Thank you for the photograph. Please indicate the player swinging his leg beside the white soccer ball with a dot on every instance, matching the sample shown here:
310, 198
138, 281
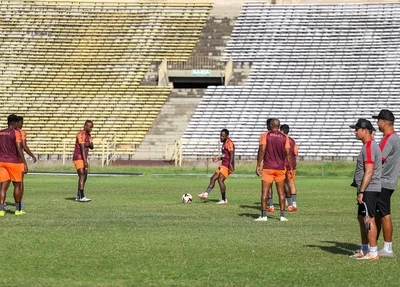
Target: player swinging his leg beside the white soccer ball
225, 169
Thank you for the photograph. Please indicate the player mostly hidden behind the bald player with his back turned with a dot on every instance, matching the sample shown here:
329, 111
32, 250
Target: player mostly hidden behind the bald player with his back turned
290, 187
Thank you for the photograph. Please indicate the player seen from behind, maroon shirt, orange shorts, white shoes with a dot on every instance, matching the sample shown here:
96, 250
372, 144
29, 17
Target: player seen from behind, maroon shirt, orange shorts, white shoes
273, 150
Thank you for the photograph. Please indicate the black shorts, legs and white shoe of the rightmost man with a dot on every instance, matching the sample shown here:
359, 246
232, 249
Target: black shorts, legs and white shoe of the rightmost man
383, 220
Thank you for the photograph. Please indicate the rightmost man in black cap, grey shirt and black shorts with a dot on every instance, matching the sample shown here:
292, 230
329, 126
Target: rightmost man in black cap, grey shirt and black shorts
390, 148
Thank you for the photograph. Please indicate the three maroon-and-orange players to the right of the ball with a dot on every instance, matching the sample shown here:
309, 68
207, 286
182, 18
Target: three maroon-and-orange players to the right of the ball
277, 153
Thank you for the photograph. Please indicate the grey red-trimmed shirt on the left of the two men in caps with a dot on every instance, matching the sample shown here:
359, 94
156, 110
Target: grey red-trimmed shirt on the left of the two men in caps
369, 154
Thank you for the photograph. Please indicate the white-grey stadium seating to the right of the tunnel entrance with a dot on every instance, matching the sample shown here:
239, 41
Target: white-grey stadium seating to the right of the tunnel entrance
315, 67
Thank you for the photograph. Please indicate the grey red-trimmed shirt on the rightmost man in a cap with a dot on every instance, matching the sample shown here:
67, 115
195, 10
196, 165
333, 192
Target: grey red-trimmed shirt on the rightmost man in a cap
390, 148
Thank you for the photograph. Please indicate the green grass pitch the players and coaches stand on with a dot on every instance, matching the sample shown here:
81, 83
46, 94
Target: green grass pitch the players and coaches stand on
136, 232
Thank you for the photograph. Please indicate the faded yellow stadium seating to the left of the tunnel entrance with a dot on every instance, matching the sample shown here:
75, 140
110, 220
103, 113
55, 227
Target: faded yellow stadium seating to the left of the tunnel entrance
64, 62
